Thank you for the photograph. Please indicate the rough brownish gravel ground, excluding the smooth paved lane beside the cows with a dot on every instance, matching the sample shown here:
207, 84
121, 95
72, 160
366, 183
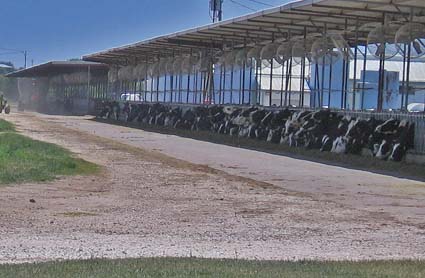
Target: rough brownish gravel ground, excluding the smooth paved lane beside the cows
146, 203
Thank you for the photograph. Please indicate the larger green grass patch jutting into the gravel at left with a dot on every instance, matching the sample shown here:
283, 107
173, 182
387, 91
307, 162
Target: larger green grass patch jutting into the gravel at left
23, 159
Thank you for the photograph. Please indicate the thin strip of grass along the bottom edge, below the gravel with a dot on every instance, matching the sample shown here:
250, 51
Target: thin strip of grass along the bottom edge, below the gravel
191, 267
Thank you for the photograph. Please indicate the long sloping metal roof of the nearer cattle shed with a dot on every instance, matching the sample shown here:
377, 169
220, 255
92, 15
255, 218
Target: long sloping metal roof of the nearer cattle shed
275, 24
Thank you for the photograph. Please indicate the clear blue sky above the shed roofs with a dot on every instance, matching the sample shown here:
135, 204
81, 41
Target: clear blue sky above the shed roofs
60, 29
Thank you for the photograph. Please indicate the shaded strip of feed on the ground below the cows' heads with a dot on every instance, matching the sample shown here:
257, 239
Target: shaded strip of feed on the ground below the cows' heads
408, 170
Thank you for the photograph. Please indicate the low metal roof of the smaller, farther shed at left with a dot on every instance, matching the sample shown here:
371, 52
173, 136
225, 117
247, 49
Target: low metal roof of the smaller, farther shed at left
60, 67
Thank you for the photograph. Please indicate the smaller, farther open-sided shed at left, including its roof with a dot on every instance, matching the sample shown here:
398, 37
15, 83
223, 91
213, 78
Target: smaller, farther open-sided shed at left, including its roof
61, 86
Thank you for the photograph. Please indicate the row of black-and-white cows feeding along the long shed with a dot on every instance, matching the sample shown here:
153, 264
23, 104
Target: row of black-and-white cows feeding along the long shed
324, 130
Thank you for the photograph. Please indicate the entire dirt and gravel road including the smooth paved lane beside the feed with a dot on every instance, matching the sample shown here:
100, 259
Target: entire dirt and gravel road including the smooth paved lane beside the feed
161, 195
